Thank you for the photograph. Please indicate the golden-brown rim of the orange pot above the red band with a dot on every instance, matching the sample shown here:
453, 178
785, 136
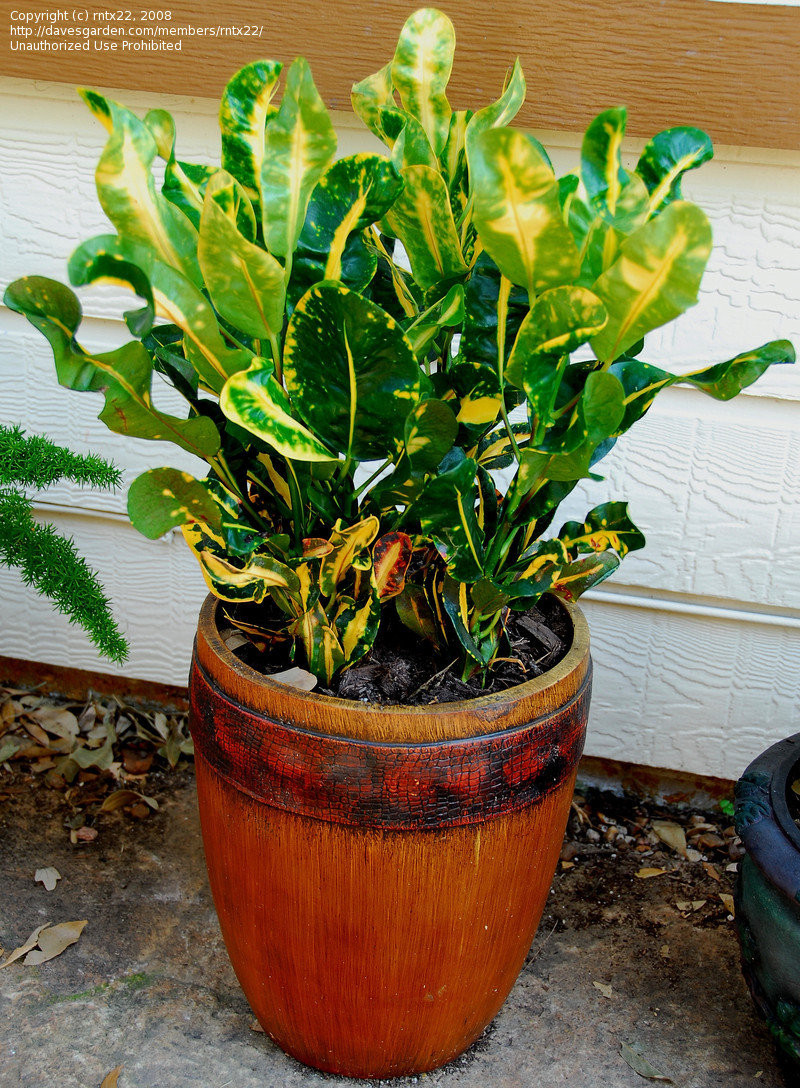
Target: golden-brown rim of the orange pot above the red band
576, 656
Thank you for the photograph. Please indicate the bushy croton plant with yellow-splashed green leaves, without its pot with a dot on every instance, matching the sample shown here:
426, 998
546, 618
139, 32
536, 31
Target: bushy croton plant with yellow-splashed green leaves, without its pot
363, 343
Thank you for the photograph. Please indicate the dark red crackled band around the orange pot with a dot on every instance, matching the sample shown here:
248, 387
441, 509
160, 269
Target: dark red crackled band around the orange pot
386, 785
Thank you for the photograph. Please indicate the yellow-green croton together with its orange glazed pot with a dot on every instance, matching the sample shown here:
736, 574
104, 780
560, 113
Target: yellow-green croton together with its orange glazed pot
380, 360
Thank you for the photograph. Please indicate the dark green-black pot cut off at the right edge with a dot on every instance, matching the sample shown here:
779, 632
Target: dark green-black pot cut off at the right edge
768, 912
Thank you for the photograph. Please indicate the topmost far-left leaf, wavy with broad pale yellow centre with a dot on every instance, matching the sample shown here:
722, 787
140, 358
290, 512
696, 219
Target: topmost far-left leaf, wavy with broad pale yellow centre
128, 192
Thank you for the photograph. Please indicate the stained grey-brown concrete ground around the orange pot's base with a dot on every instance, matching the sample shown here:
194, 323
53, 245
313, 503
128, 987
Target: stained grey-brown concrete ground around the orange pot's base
149, 986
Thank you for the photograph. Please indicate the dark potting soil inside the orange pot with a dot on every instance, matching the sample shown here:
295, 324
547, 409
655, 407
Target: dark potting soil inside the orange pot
403, 669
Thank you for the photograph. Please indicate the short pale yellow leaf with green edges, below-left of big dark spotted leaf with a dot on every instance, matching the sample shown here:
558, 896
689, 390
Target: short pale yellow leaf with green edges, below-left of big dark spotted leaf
255, 401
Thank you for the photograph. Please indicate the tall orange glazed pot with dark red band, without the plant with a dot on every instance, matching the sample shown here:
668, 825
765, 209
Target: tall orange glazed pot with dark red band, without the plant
379, 872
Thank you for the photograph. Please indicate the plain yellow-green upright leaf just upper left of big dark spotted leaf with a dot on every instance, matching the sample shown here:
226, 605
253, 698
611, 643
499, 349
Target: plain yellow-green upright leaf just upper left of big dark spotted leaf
245, 282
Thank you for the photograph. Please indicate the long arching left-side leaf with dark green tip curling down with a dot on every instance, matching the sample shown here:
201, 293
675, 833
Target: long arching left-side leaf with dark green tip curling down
176, 298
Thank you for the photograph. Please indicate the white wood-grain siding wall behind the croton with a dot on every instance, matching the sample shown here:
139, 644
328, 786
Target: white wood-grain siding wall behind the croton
697, 644
